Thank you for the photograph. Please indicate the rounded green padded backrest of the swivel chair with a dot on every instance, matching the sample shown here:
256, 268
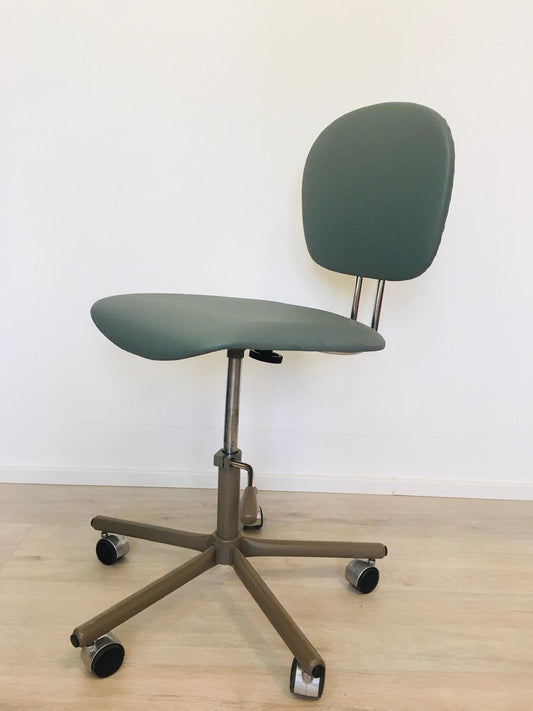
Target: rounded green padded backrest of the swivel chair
376, 189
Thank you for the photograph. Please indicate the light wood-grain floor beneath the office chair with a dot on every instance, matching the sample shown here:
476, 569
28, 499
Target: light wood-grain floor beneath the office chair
450, 626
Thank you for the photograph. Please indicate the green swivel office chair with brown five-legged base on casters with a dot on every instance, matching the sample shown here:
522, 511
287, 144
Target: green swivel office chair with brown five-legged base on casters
376, 189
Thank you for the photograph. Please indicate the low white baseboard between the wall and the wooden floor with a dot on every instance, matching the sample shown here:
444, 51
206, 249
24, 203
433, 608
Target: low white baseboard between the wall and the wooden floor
400, 486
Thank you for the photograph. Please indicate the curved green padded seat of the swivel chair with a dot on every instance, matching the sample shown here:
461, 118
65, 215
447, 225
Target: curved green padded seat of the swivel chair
176, 326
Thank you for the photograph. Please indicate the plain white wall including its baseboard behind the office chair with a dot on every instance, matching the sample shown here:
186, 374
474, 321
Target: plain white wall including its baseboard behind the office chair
158, 146
